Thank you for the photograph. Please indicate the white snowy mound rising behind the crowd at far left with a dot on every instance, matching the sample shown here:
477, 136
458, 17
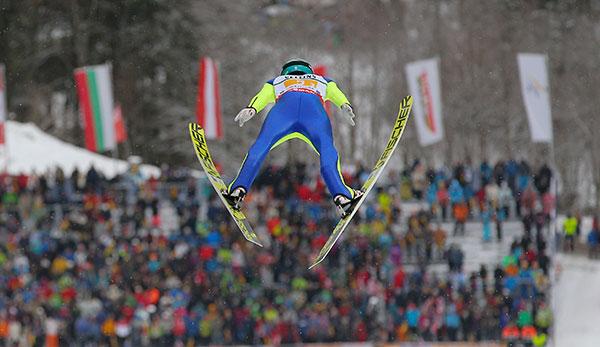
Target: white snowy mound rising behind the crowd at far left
32, 151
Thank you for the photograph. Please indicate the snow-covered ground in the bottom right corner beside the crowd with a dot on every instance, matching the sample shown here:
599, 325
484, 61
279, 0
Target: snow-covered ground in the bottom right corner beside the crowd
576, 301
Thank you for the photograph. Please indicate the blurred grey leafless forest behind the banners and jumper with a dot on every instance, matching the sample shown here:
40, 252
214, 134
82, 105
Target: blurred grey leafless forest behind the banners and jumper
154, 46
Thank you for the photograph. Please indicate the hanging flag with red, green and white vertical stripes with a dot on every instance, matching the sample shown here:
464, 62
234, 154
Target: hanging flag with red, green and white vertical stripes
94, 88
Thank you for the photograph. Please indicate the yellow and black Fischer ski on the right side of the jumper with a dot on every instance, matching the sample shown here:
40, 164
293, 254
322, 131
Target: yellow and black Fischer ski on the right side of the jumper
405, 107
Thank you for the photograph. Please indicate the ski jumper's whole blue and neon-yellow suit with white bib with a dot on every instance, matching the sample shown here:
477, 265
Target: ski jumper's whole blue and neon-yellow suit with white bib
298, 113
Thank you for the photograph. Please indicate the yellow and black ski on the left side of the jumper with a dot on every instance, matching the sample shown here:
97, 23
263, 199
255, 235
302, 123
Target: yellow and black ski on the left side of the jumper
201, 148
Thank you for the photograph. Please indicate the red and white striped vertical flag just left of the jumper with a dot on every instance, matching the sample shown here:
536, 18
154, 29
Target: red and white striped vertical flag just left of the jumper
208, 106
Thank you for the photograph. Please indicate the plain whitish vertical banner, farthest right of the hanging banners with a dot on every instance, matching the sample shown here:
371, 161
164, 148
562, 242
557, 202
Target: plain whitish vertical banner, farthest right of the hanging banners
534, 88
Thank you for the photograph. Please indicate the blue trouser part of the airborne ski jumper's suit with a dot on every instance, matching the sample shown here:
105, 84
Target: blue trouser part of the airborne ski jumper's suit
295, 115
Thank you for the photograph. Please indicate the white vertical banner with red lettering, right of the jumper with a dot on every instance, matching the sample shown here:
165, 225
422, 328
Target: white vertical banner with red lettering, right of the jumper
424, 85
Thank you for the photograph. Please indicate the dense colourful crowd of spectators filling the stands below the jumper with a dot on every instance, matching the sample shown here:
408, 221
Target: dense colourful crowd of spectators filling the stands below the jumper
134, 261
